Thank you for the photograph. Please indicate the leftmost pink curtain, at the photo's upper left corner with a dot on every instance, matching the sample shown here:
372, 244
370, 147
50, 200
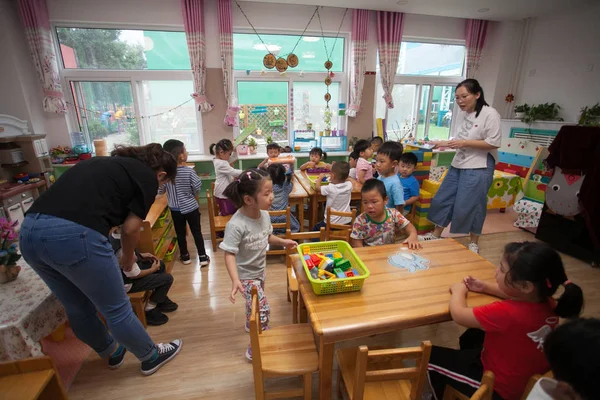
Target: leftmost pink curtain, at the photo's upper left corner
34, 15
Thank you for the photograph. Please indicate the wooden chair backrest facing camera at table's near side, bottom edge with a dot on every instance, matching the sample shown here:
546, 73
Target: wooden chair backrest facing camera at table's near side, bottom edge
417, 374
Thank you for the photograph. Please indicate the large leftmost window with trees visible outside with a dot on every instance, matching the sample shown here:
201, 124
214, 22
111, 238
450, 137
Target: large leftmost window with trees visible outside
130, 86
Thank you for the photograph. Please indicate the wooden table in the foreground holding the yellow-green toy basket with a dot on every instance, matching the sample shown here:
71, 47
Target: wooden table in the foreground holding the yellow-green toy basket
391, 298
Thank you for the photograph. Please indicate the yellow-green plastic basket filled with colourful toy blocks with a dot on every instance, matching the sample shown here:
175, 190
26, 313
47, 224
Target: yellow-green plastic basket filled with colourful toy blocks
332, 267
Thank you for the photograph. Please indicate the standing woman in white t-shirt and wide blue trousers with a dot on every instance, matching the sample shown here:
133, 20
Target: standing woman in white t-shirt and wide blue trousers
462, 197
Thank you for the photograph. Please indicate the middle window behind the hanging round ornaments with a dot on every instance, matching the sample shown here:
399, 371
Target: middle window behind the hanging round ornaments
295, 99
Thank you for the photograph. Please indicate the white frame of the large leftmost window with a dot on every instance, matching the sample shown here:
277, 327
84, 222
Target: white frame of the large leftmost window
134, 77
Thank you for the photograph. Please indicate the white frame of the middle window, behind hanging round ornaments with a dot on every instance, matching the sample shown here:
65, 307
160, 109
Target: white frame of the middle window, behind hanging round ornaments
294, 74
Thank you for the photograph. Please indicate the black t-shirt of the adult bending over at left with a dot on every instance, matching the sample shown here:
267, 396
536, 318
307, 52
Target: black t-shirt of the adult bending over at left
100, 192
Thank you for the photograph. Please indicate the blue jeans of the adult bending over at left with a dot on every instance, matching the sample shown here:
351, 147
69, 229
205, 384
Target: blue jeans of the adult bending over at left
79, 266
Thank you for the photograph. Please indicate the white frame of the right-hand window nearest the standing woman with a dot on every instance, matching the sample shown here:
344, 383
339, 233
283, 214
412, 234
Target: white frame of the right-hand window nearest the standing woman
424, 80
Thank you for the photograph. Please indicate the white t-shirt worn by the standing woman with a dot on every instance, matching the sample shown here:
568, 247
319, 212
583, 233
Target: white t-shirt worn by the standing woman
485, 127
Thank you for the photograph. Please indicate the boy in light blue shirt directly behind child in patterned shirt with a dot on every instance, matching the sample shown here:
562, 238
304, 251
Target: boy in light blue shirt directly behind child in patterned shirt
387, 160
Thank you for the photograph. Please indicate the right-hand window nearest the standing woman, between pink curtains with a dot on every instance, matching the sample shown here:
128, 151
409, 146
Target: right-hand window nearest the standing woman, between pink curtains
423, 90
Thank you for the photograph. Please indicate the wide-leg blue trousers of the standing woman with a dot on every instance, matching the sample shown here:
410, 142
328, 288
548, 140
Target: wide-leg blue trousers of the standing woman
462, 199
